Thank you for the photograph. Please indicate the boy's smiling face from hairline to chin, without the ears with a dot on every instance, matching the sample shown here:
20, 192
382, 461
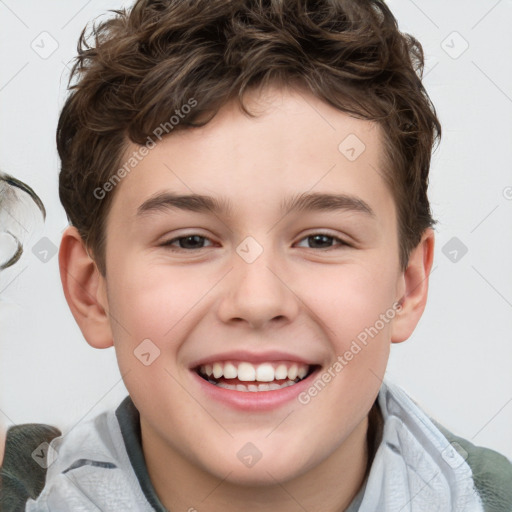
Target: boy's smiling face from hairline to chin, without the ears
252, 325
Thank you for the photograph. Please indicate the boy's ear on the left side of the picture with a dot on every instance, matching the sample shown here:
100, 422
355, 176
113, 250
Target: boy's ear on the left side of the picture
85, 290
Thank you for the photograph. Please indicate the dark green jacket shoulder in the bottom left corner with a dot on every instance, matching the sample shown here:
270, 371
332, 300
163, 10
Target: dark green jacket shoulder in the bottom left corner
23, 473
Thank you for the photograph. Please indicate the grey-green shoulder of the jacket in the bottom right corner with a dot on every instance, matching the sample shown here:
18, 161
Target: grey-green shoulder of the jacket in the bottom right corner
492, 472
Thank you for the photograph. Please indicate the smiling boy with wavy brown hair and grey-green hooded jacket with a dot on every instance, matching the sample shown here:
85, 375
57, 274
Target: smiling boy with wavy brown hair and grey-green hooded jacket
251, 267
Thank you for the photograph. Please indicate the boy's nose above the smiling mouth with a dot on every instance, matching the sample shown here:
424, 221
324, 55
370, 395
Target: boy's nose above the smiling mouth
258, 293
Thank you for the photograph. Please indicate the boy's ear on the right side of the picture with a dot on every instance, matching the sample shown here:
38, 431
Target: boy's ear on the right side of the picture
413, 288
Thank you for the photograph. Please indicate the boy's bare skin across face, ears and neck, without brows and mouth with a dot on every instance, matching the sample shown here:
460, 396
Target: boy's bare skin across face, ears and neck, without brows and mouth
298, 298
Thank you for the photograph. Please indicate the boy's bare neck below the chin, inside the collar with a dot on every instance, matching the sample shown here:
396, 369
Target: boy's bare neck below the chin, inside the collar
182, 485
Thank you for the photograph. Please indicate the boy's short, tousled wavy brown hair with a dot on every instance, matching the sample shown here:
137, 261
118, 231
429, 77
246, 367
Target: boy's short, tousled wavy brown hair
135, 69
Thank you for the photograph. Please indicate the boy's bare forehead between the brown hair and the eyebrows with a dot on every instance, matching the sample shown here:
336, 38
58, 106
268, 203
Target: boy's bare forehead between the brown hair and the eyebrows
295, 144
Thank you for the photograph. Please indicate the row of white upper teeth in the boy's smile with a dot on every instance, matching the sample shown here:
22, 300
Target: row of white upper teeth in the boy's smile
247, 372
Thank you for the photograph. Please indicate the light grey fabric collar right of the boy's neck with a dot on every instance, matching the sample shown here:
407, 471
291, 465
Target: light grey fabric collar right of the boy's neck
415, 467
